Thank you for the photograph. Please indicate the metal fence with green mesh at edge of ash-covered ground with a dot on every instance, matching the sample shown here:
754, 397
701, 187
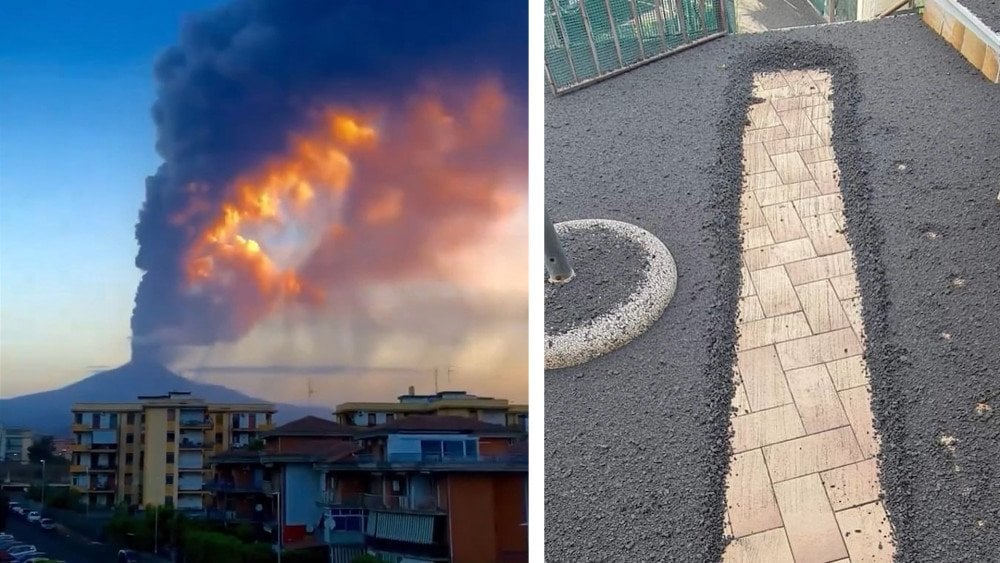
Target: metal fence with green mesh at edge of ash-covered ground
589, 40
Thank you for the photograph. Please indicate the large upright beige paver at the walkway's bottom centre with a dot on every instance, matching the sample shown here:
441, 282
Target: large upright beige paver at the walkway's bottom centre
810, 525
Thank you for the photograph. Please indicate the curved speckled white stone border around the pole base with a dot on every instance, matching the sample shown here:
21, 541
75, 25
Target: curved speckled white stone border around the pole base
634, 316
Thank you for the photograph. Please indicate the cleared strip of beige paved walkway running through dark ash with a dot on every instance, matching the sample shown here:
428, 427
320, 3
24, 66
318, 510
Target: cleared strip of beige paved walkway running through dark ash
803, 483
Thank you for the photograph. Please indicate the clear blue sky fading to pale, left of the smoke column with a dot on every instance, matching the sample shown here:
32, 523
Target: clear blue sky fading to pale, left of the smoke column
76, 143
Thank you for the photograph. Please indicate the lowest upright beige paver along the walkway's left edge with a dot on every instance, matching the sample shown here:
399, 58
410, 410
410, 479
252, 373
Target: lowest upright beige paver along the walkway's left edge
749, 498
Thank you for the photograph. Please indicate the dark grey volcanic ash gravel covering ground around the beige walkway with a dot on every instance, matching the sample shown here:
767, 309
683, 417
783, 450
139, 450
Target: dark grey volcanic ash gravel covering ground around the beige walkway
636, 441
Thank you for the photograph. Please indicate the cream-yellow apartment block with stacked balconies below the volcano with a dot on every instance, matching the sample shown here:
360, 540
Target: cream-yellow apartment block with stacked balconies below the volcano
155, 450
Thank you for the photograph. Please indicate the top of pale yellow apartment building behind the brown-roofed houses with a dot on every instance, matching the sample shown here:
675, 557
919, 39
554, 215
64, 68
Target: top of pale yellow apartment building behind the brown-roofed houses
444, 403
